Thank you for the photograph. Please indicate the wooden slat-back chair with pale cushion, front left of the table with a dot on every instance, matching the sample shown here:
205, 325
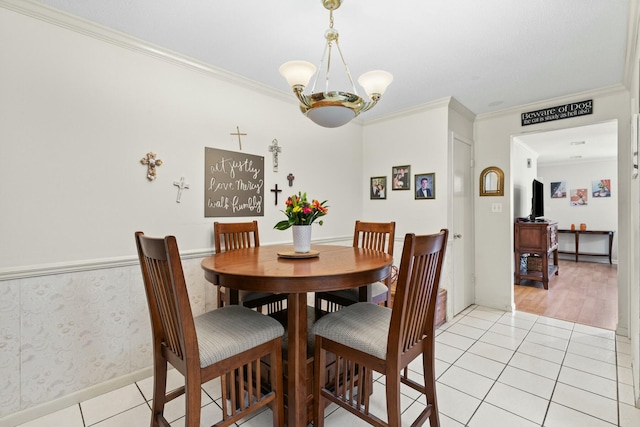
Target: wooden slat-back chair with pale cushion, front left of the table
227, 342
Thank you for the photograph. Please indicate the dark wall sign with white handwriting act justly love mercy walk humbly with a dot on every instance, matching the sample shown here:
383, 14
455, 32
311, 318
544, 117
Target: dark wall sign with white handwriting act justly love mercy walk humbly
233, 183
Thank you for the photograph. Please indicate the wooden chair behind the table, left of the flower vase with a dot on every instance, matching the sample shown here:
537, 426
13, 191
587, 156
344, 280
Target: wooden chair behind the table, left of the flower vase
239, 235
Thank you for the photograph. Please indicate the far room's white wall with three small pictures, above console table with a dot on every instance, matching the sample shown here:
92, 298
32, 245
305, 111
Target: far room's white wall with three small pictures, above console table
598, 214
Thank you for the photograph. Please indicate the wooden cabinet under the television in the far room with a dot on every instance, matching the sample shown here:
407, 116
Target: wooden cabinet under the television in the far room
536, 238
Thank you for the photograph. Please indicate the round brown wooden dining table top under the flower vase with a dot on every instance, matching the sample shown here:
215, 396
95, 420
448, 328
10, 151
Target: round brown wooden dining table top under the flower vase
262, 269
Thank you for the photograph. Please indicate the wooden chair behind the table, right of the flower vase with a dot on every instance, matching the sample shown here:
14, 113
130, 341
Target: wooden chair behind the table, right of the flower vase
378, 236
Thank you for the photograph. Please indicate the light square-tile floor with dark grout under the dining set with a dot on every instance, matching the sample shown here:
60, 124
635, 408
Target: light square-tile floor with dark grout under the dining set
494, 369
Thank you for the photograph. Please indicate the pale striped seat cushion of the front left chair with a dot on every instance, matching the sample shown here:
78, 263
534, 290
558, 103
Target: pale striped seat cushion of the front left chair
230, 330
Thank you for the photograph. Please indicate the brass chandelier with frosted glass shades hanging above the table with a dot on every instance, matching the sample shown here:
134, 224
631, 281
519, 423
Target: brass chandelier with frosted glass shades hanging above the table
333, 108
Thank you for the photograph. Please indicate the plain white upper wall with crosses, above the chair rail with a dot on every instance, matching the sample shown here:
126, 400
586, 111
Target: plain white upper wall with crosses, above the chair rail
78, 114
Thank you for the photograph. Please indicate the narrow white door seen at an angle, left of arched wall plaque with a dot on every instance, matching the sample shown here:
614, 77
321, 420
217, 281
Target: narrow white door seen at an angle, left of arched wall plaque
462, 263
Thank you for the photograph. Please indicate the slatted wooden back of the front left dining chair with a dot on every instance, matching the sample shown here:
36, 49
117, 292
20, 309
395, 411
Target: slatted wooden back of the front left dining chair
166, 290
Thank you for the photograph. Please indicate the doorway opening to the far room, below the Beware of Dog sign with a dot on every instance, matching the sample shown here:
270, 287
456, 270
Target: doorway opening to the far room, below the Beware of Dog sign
576, 160
